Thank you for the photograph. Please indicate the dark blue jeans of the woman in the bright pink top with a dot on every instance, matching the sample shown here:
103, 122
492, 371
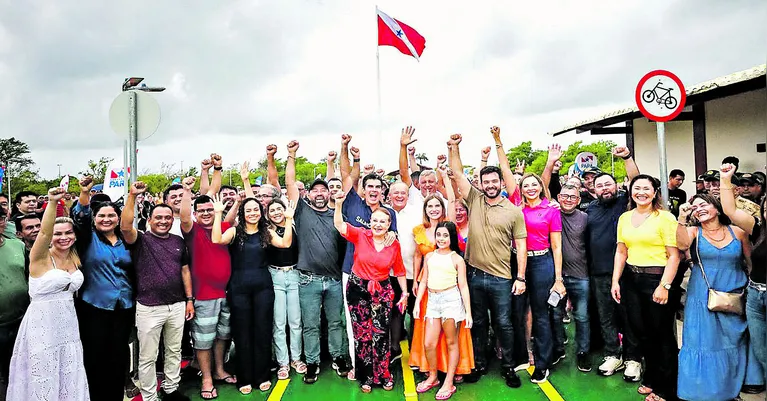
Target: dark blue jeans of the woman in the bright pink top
540, 279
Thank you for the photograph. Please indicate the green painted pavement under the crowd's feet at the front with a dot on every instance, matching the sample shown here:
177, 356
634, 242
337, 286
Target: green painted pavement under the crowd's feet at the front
568, 382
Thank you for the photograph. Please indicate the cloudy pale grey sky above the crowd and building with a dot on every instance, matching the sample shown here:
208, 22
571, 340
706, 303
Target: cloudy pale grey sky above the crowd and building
244, 74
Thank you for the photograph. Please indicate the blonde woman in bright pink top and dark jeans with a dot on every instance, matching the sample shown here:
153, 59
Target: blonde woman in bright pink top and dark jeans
544, 270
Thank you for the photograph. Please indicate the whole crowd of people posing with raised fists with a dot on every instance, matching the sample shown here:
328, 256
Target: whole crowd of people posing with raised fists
259, 266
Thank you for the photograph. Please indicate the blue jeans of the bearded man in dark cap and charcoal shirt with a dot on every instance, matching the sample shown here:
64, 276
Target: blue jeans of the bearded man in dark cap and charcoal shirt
318, 292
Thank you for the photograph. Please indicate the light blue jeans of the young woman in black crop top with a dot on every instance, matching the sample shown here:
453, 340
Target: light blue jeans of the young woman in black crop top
287, 311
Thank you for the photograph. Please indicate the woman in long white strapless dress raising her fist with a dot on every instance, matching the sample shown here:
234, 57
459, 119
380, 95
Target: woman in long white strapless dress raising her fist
47, 362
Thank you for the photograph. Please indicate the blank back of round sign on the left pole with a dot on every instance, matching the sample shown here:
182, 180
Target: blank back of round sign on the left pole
147, 110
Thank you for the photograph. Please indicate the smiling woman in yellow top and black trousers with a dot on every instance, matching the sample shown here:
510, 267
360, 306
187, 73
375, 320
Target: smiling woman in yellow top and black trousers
646, 261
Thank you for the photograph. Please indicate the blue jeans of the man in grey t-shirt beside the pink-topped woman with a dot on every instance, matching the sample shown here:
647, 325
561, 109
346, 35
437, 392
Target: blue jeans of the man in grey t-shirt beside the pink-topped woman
578, 293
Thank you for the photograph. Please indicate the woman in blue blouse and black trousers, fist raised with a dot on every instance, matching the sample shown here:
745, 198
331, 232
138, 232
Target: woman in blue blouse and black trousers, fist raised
106, 307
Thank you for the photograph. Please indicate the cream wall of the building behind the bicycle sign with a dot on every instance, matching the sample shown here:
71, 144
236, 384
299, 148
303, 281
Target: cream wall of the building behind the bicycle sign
734, 125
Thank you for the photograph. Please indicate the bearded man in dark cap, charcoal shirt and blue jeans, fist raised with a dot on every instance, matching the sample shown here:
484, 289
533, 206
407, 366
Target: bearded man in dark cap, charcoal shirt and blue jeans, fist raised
319, 268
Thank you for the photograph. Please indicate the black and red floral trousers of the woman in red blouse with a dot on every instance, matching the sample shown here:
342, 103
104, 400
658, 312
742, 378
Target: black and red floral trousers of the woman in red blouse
370, 313
